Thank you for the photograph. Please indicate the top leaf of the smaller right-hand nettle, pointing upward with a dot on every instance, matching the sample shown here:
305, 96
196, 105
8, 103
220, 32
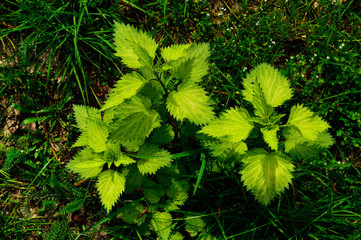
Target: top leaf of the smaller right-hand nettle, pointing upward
275, 87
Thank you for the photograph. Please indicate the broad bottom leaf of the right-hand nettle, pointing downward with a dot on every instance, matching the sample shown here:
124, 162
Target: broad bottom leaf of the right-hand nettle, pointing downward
266, 174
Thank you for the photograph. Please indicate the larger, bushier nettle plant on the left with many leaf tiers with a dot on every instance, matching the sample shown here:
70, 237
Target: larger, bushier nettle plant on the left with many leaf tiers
126, 144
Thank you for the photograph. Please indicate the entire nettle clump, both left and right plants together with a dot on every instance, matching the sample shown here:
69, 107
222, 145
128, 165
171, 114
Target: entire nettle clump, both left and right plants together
155, 109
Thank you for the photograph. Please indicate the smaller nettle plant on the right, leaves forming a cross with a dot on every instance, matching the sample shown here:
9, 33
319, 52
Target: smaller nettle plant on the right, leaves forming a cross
267, 171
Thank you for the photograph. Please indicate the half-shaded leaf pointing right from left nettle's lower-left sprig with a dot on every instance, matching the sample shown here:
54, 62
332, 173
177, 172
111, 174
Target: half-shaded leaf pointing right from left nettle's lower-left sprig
152, 159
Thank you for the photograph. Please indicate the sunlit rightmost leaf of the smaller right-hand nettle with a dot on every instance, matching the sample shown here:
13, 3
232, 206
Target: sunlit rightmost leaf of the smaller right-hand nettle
309, 124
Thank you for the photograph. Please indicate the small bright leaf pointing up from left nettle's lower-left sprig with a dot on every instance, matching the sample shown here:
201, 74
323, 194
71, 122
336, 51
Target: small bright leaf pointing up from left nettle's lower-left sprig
97, 133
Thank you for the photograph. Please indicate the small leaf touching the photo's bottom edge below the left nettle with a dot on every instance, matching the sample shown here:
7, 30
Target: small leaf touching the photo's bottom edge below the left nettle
162, 224
